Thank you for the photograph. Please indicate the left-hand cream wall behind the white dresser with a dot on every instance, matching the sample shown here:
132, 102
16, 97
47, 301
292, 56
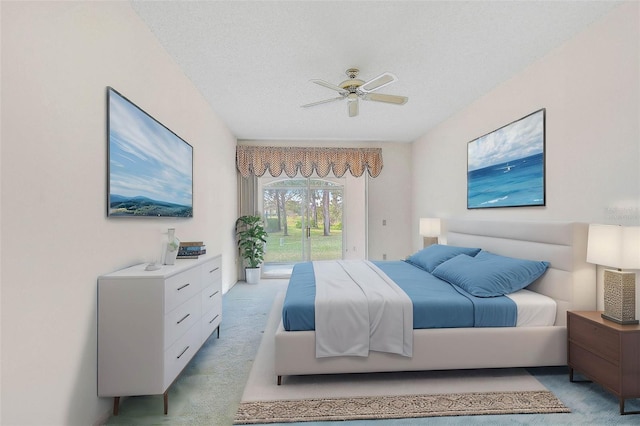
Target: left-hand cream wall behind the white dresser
57, 59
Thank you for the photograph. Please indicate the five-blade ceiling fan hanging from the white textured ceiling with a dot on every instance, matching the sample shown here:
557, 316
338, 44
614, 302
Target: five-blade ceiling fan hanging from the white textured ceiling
354, 89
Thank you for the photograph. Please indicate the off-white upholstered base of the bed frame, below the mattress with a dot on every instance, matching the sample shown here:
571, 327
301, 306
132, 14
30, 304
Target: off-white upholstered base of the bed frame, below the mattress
433, 349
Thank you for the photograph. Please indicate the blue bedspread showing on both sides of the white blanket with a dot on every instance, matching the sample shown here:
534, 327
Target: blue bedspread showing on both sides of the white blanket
436, 303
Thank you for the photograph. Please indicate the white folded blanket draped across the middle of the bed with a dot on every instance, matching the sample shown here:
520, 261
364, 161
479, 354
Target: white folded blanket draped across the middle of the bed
358, 308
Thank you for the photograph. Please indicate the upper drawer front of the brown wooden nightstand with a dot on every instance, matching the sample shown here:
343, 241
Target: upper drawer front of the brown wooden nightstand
597, 338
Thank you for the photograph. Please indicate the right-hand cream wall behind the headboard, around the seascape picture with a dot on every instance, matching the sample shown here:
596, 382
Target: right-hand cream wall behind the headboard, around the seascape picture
590, 87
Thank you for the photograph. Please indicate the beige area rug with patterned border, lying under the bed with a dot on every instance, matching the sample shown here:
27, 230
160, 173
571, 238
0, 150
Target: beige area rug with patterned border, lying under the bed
385, 395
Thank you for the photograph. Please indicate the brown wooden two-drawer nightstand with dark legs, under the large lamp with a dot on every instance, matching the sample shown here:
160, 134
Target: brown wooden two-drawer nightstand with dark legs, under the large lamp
606, 353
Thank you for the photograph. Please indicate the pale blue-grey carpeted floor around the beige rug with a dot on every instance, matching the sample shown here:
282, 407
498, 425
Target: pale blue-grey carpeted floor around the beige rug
209, 390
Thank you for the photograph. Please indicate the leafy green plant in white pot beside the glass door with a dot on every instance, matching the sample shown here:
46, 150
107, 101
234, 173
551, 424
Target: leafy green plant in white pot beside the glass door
251, 241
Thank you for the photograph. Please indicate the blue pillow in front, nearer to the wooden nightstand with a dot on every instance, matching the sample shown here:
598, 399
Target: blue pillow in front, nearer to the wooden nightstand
490, 275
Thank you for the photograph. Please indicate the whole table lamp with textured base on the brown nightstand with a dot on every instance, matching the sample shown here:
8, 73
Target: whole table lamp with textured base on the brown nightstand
618, 247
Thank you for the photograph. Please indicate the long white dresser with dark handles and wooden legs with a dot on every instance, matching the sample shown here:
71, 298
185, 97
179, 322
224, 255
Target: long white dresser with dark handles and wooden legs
151, 323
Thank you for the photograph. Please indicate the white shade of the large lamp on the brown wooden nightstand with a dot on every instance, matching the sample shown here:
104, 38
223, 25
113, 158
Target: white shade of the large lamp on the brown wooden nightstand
614, 246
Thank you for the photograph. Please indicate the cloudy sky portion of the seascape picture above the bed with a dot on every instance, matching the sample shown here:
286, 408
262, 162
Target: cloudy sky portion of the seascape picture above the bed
520, 139
